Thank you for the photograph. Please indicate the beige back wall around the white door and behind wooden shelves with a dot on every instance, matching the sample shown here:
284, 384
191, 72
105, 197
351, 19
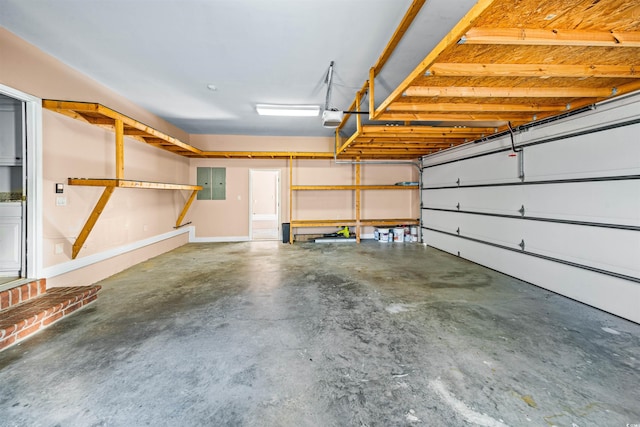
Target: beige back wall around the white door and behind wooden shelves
230, 218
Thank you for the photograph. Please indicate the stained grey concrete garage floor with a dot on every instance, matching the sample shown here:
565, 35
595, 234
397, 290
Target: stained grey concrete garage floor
266, 334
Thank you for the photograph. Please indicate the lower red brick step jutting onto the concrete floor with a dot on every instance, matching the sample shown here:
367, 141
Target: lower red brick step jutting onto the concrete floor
19, 321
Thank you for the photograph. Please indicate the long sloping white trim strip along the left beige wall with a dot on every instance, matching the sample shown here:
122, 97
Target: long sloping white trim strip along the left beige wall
76, 264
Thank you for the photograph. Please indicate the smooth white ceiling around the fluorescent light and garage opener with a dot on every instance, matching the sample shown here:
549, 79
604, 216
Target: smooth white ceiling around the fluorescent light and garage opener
162, 54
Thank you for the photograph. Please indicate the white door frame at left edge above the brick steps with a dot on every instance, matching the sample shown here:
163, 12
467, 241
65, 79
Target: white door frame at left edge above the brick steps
32, 164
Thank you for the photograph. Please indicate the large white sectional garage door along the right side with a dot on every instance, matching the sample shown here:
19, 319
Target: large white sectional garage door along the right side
562, 211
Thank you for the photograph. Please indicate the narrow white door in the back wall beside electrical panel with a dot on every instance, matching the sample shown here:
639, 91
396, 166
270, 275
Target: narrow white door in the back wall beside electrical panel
265, 204
